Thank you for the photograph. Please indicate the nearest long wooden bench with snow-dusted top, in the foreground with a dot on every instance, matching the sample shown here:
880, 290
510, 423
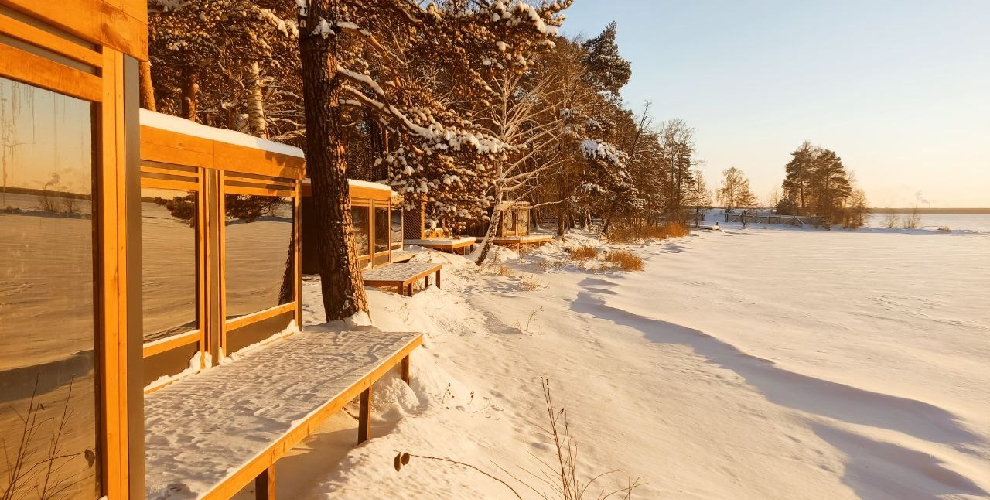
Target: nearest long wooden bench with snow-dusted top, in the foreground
209, 435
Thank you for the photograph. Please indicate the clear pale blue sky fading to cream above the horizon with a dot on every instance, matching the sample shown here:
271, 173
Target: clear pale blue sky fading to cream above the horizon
900, 89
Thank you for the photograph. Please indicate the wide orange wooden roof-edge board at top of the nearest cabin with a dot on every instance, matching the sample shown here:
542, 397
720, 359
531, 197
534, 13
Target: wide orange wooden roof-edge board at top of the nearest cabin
118, 24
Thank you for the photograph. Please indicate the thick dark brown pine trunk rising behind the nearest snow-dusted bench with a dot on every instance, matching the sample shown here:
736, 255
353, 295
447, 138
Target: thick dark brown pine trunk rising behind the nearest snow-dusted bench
343, 290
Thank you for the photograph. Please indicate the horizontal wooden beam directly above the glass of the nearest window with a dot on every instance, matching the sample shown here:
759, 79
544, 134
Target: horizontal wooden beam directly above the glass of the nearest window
39, 71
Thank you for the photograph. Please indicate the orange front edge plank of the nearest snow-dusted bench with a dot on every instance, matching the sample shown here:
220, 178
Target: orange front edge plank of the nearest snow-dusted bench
307, 427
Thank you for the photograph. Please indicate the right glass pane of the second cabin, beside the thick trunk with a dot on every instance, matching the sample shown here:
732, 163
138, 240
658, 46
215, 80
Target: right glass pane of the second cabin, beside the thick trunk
258, 265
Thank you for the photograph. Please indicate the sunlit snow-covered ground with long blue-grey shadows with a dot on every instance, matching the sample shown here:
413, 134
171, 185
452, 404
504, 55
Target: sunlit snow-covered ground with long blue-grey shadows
750, 364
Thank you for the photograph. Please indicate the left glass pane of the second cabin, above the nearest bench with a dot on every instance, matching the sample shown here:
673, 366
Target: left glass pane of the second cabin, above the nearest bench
169, 286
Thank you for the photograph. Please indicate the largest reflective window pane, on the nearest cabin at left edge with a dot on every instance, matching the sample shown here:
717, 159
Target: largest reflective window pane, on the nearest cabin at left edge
48, 417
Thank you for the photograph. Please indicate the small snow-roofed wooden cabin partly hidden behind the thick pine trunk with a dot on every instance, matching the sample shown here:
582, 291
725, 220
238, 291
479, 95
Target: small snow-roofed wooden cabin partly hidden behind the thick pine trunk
376, 213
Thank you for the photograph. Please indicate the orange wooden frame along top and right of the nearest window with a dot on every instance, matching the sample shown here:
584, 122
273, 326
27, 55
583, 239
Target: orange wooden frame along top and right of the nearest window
36, 57
